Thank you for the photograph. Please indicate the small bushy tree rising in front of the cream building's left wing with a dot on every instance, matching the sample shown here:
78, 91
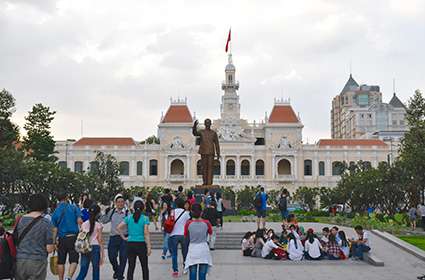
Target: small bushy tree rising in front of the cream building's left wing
106, 175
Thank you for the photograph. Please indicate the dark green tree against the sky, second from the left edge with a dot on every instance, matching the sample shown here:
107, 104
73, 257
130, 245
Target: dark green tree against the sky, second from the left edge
38, 142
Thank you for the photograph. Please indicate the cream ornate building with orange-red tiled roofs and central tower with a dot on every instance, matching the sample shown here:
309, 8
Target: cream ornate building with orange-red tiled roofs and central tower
269, 153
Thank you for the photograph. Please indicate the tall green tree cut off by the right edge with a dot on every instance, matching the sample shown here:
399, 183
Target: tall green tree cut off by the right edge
412, 150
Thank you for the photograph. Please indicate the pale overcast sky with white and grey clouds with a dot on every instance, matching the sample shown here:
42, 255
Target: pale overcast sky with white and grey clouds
115, 64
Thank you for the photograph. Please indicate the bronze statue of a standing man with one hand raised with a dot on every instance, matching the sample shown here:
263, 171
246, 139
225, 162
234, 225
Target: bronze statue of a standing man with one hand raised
208, 148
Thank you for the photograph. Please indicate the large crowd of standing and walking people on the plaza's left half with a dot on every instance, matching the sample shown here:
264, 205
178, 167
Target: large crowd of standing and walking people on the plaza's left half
74, 231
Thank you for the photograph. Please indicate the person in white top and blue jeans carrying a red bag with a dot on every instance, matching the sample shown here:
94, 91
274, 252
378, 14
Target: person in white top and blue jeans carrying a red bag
181, 216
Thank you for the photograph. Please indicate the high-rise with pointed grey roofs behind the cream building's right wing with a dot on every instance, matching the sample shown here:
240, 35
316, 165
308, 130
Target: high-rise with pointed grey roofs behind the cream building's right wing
358, 112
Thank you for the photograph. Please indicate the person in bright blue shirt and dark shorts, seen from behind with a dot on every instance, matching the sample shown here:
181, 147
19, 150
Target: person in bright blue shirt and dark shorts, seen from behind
66, 221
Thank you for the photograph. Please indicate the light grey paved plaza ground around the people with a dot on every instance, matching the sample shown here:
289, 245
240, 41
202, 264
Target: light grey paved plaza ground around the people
230, 265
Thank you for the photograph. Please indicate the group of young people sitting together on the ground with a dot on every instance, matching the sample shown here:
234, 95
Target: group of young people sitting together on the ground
295, 244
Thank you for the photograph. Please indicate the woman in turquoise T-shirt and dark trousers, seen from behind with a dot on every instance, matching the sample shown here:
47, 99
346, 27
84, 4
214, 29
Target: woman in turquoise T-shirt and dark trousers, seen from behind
139, 245
